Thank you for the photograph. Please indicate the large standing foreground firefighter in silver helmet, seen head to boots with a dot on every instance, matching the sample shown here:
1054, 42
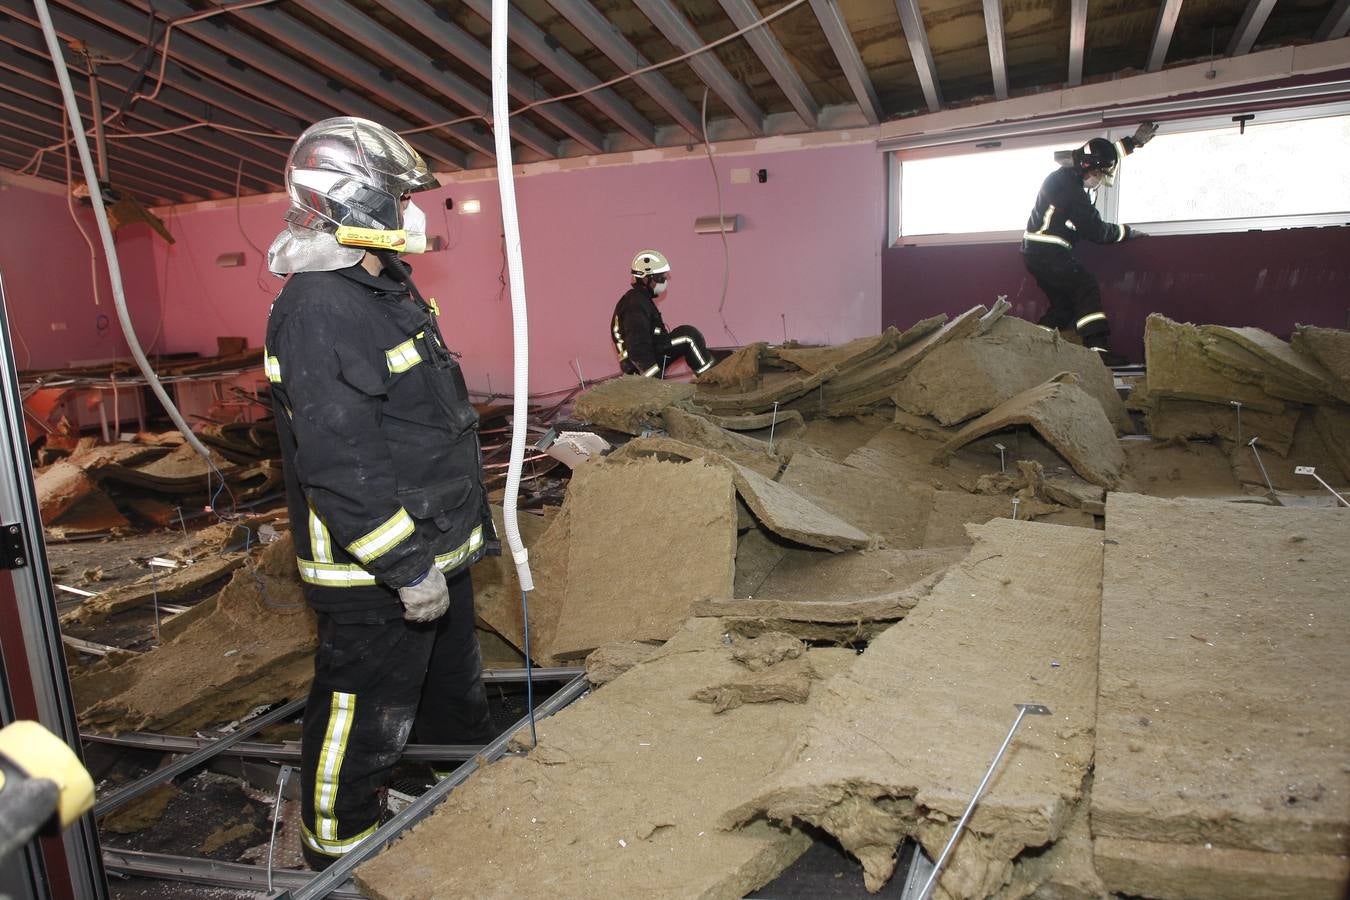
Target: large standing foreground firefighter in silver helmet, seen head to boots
384, 478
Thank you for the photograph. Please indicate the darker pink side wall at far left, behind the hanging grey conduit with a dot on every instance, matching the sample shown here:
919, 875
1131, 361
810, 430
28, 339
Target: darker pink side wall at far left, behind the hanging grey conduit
45, 266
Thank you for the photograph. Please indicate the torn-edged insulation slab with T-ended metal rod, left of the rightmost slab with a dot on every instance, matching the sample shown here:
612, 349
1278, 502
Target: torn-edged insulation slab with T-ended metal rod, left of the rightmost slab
908, 733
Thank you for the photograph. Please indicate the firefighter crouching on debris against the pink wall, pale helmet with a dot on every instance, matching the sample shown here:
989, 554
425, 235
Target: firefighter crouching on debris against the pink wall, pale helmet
642, 341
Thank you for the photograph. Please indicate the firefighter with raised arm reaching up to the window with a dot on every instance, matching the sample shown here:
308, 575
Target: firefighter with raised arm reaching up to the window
1063, 215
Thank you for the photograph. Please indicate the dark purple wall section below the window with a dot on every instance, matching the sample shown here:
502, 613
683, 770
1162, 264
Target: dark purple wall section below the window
1272, 280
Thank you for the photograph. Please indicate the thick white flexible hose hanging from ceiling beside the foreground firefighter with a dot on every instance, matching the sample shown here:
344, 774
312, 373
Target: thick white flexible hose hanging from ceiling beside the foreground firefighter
520, 320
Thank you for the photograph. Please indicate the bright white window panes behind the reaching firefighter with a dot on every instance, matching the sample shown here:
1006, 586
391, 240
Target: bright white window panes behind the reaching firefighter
1213, 177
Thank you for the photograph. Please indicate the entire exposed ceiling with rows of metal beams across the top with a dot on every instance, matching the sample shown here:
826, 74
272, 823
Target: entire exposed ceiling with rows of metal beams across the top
416, 65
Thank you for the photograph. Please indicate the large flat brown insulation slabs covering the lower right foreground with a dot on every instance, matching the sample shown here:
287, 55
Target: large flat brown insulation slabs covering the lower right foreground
1210, 760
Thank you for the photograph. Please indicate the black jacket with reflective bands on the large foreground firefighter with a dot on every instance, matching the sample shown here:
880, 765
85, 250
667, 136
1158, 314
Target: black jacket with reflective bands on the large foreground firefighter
380, 443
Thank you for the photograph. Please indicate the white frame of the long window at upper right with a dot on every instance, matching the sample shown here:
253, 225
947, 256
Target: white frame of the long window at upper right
1108, 199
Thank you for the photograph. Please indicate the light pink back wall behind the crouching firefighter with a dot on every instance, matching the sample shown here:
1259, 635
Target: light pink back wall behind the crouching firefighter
809, 250
